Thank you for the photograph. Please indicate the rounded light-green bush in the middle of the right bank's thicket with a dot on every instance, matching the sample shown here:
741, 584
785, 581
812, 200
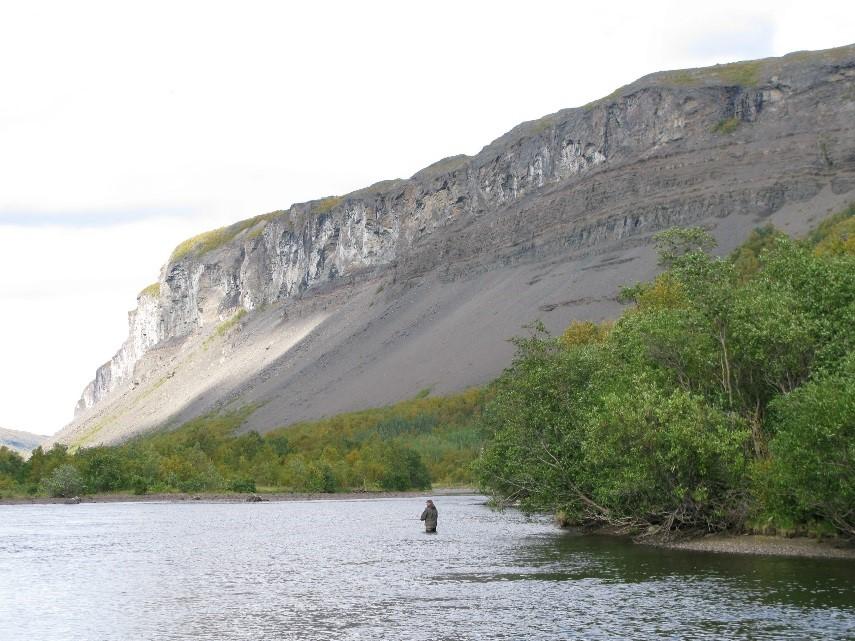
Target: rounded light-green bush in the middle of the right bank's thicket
665, 457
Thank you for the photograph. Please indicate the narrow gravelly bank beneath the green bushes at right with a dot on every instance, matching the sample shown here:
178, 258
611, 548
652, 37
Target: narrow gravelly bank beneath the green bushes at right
764, 545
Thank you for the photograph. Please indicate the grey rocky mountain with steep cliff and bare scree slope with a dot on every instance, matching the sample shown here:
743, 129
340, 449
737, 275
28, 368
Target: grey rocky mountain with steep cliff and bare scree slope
365, 299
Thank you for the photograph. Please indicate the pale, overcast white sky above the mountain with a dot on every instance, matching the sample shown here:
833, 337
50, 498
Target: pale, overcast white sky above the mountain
126, 127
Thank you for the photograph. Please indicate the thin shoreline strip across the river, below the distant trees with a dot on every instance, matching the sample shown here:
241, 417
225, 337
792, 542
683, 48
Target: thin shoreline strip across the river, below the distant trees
178, 497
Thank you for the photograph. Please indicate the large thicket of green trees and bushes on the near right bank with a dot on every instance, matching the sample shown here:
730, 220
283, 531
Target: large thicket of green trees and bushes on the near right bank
722, 398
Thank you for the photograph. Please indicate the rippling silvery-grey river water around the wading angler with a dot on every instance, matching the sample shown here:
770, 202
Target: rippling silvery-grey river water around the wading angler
364, 569
